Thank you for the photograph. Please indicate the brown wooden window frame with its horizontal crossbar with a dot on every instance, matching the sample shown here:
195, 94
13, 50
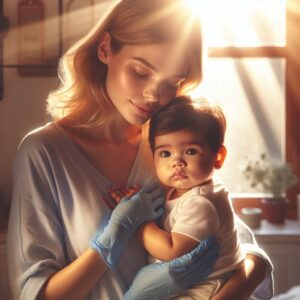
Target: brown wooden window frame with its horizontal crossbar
292, 96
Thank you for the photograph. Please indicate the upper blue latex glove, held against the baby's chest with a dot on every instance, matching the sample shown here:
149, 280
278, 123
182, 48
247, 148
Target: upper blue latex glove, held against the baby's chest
129, 214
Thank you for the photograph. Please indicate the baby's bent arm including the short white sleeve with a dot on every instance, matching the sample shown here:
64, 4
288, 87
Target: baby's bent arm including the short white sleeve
195, 219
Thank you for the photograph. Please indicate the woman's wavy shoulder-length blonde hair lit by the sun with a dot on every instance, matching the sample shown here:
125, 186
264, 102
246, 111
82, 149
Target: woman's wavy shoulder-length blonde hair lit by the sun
82, 94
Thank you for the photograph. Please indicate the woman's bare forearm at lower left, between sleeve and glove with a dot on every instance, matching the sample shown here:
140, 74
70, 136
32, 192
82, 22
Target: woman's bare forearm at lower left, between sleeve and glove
76, 280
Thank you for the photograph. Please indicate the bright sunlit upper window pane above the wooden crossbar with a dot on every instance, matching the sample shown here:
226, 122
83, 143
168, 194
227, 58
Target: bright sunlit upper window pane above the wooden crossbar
241, 22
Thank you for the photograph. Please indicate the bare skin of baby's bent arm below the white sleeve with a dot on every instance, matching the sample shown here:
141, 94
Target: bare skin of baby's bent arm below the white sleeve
164, 245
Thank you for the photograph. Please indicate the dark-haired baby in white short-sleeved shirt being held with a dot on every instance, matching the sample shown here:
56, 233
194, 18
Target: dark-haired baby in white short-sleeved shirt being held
186, 139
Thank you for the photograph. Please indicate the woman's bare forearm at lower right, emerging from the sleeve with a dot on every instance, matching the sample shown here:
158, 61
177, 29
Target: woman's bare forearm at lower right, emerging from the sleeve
244, 281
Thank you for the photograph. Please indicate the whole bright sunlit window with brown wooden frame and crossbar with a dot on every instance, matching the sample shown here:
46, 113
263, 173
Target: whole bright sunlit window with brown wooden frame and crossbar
252, 70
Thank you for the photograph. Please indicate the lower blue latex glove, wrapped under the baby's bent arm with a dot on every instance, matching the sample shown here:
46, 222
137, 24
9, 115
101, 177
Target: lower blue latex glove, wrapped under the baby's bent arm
166, 279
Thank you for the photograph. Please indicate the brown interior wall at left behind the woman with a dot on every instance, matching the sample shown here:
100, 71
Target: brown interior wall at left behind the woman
23, 107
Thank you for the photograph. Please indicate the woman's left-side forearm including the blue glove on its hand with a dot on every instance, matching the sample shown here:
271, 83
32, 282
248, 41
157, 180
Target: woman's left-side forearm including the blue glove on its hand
77, 279
